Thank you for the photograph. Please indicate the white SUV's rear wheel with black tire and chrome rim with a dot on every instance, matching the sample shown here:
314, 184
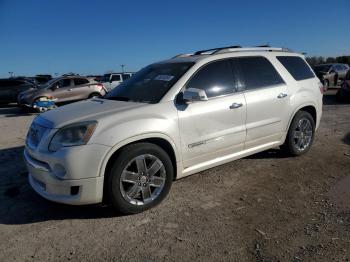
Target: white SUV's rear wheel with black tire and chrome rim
299, 141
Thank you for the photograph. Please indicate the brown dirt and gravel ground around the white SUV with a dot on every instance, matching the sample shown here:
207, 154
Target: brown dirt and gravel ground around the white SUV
267, 207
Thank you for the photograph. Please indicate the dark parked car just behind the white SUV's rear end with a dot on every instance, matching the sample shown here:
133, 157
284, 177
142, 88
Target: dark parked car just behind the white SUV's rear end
330, 74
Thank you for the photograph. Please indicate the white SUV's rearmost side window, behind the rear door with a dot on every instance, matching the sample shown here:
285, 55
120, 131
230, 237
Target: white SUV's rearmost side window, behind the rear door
296, 66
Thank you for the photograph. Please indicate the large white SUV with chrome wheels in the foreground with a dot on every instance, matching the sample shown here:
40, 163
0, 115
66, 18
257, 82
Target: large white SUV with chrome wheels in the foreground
170, 120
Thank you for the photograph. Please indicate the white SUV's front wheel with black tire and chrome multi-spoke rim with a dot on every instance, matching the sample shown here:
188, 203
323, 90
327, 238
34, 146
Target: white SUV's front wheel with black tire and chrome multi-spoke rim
130, 189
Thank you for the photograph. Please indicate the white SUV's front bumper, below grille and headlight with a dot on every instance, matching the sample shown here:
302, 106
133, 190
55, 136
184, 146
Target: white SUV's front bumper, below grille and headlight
44, 180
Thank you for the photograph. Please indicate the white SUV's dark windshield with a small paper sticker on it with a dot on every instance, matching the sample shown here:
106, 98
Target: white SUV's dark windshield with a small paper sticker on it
150, 84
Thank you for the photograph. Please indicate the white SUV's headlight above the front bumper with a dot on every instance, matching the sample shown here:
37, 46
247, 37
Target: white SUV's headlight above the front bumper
72, 135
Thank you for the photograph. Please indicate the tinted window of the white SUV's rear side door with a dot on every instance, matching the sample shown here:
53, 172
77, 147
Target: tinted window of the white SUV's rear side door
258, 72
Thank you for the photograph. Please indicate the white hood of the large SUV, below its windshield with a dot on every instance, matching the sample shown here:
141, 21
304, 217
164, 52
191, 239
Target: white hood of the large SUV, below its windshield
92, 109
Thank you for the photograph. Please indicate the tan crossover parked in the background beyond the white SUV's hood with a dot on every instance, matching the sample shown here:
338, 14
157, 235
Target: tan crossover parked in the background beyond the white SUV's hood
64, 90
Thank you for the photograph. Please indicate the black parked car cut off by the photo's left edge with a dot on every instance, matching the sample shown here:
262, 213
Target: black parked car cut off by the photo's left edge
10, 88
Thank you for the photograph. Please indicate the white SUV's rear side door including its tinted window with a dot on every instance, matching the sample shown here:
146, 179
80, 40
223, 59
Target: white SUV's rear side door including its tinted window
267, 99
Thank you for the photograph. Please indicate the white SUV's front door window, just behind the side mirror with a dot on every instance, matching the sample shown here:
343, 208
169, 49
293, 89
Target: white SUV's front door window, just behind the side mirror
216, 79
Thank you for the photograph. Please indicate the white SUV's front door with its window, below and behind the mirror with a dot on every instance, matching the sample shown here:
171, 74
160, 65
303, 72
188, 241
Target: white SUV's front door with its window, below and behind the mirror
213, 129
